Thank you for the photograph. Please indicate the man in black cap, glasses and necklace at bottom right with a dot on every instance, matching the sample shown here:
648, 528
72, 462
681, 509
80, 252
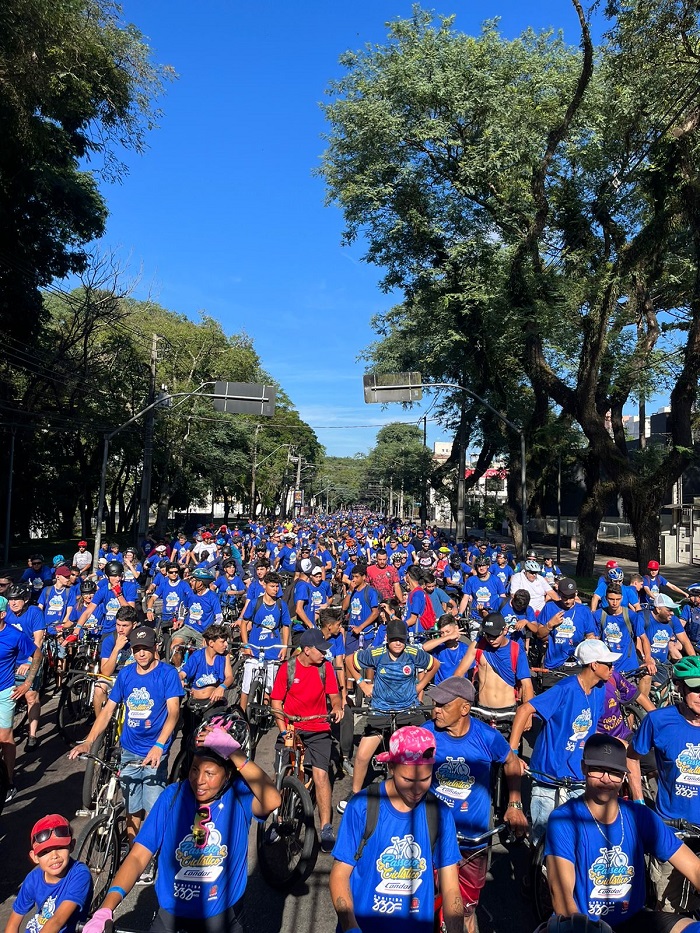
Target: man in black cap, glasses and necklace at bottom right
596, 845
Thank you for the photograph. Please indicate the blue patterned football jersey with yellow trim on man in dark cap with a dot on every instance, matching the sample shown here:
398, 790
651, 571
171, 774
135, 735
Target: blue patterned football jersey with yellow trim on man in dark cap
394, 678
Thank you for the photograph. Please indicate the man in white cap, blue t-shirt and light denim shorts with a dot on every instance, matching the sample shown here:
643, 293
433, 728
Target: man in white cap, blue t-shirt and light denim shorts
570, 710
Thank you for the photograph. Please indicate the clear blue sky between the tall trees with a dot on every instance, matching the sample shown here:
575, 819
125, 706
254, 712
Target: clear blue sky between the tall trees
222, 212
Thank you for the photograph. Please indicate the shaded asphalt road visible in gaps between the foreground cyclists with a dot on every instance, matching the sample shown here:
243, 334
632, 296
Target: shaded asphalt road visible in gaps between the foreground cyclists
48, 782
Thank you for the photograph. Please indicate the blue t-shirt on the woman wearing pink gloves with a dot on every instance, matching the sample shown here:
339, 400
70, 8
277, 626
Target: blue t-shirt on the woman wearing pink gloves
199, 881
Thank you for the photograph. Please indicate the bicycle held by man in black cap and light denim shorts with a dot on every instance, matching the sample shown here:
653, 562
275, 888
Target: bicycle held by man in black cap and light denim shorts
103, 842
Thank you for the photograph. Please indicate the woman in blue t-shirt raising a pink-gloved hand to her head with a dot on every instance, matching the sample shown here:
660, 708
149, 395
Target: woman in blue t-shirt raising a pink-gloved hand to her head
199, 831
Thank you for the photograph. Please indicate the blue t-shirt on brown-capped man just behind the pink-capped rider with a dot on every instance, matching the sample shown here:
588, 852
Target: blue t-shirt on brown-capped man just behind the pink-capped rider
462, 773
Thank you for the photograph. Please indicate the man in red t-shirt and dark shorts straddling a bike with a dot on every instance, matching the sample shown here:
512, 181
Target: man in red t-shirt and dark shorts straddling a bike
303, 687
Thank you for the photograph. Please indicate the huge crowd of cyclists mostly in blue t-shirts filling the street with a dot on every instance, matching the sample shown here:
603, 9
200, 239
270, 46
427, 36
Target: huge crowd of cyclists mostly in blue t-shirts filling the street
416, 670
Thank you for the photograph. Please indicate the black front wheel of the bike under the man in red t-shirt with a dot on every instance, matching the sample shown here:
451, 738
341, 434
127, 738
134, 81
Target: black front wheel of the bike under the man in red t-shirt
286, 841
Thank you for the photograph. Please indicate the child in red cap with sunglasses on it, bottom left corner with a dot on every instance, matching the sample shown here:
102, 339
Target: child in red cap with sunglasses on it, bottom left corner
59, 889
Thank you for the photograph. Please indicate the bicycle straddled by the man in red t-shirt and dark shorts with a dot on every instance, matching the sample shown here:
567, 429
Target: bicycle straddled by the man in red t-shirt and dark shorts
287, 843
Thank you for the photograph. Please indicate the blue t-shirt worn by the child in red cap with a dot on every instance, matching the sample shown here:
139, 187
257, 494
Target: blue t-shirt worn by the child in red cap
35, 893
